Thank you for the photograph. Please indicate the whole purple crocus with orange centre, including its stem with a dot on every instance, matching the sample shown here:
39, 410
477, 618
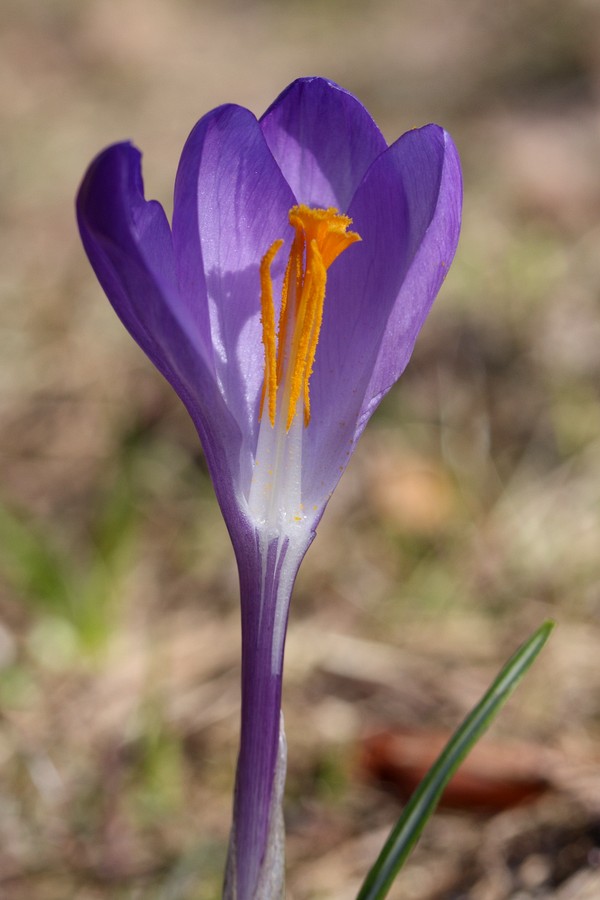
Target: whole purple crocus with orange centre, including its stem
281, 305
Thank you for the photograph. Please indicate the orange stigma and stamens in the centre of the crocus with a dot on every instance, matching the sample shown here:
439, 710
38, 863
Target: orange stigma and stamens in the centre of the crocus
321, 235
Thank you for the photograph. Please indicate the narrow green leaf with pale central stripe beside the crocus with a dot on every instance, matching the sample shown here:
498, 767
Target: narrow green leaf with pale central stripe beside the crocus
422, 804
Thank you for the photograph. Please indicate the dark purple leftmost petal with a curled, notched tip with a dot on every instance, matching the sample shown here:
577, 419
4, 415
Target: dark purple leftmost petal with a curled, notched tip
128, 242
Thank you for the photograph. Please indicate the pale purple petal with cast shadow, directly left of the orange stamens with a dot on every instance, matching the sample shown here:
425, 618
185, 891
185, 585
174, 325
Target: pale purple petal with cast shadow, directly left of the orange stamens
231, 203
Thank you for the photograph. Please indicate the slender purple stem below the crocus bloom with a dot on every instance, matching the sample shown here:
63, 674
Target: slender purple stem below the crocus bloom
256, 853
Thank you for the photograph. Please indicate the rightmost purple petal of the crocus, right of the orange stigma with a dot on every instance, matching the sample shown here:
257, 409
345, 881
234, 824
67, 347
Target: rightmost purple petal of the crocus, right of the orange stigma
407, 211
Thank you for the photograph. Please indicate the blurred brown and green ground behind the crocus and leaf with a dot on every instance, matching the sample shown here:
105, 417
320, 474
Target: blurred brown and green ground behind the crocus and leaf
470, 513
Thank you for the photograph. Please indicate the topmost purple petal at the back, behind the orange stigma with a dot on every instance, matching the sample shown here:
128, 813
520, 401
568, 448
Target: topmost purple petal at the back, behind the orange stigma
323, 139
